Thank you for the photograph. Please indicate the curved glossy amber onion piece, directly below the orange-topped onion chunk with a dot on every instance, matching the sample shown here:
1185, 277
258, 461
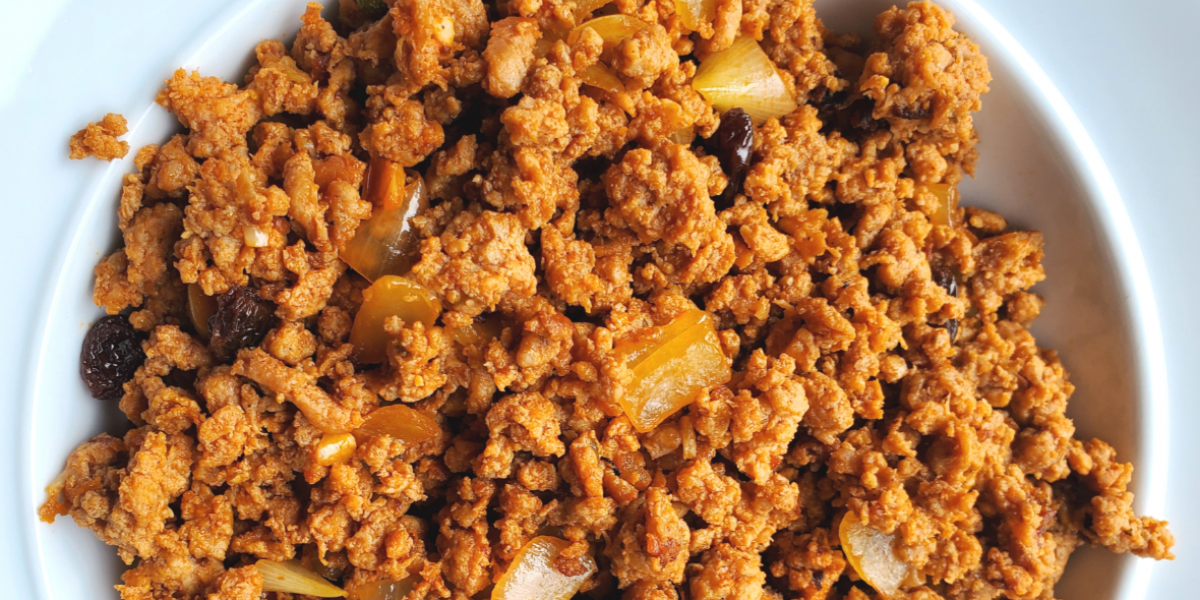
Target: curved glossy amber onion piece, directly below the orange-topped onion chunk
388, 297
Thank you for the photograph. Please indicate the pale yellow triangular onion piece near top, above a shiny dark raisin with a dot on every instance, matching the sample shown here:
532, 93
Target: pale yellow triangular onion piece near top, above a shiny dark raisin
745, 77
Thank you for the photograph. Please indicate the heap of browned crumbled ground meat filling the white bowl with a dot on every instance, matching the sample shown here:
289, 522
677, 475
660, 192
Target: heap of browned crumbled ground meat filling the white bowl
874, 367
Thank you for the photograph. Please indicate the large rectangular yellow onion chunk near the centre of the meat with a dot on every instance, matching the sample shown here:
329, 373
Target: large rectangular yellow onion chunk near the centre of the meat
671, 367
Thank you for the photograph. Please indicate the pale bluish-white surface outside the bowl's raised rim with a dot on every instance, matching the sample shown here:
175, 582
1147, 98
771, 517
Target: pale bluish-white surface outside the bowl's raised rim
1130, 70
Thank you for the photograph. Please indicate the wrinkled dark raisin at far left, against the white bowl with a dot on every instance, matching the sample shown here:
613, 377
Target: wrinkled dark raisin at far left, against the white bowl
112, 352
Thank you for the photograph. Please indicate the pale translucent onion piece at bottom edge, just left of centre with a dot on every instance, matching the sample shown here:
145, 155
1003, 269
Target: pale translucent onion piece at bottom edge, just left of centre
532, 575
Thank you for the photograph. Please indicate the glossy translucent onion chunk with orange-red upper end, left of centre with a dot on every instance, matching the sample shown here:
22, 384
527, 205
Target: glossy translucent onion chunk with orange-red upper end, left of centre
387, 244
